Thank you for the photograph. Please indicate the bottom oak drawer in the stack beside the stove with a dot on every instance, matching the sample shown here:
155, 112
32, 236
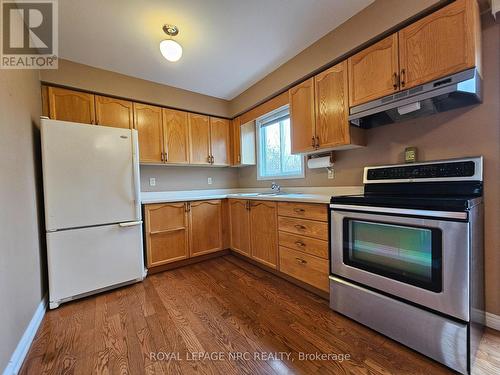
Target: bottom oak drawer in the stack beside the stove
304, 267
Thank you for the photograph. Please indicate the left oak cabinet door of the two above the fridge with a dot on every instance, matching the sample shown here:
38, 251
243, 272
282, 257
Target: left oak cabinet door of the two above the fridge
69, 105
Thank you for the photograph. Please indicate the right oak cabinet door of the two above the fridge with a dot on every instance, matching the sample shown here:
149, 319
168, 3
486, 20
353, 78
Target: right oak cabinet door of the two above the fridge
113, 112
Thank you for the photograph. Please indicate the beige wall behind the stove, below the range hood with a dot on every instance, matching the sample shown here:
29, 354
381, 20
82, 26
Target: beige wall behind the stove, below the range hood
469, 131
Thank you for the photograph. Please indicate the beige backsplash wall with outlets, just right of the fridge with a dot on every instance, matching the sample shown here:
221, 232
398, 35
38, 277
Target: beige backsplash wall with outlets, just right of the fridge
187, 178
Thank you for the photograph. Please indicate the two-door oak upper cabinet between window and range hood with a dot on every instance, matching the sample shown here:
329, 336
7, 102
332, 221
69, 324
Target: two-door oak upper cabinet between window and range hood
319, 113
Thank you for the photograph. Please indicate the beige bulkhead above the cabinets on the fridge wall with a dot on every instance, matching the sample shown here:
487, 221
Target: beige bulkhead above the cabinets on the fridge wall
102, 81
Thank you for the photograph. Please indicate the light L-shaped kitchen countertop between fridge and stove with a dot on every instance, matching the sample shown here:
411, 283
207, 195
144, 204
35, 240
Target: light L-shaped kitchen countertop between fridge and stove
295, 194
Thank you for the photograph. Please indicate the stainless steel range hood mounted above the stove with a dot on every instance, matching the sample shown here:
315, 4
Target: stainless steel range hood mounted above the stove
454, 91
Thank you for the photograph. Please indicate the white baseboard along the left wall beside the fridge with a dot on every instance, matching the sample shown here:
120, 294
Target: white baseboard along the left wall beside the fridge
17, 358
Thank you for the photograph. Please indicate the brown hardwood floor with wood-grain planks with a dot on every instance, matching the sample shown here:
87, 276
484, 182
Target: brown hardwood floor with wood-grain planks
221, 305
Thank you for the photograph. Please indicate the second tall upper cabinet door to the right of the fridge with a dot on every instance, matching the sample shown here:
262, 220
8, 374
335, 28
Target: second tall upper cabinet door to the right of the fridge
176, 136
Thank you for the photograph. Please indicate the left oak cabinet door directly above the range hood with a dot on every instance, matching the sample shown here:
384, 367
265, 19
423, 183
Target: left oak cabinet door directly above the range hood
373, 71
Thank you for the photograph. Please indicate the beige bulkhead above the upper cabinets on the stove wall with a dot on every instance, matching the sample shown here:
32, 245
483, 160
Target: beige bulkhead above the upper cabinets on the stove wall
374, 20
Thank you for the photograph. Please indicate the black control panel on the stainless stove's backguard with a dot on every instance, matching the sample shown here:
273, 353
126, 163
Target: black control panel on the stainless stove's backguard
450, 170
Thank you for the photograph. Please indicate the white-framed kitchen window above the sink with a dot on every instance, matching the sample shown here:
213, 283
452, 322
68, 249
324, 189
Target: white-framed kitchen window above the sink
275, 160
